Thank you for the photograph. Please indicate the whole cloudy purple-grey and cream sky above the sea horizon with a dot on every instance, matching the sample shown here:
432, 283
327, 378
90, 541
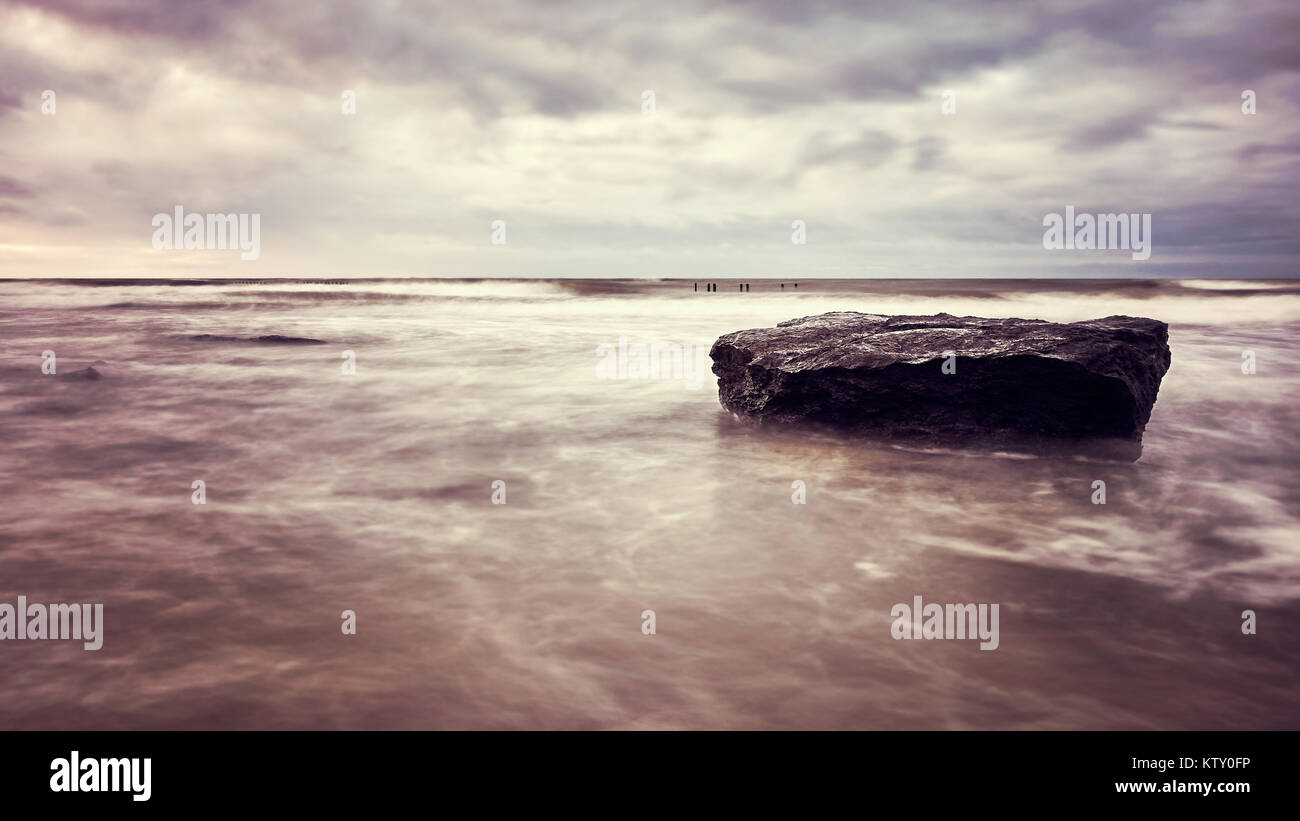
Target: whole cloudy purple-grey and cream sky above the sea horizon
532, 112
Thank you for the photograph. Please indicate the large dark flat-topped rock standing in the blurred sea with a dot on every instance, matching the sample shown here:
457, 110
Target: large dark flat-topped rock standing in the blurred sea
1017, 383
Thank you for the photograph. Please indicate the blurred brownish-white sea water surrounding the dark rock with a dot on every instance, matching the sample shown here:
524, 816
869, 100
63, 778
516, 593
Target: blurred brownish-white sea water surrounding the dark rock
372, 492
